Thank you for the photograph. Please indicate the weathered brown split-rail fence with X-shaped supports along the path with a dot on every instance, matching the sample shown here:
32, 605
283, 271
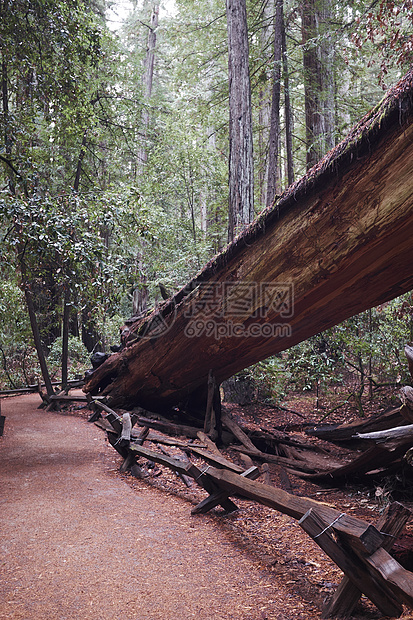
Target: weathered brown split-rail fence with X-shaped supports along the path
359, 549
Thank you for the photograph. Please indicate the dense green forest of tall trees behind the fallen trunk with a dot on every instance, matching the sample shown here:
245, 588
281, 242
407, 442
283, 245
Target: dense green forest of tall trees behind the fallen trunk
120, 159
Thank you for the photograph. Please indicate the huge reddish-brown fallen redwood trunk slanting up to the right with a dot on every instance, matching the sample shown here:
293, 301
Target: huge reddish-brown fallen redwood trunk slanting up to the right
337, 242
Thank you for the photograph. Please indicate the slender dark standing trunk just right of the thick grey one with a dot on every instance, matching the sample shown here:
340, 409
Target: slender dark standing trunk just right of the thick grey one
273, 185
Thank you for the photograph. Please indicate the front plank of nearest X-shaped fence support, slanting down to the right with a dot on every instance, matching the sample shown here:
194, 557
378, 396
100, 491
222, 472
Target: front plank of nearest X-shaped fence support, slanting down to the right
376, 589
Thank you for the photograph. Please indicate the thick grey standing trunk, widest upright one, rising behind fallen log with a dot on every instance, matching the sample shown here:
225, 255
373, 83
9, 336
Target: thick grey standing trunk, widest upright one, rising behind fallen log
241, 167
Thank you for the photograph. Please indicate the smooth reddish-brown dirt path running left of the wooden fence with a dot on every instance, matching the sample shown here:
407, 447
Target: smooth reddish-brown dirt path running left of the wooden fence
76, 542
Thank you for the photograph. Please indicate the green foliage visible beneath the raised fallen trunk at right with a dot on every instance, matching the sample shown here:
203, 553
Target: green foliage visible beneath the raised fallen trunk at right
366, 351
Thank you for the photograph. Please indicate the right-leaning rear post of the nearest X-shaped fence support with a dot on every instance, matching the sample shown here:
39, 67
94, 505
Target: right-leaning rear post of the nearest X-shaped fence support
347, 595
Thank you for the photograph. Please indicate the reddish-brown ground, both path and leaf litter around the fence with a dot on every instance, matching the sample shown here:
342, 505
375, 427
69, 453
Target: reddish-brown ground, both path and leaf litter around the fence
80, 540
